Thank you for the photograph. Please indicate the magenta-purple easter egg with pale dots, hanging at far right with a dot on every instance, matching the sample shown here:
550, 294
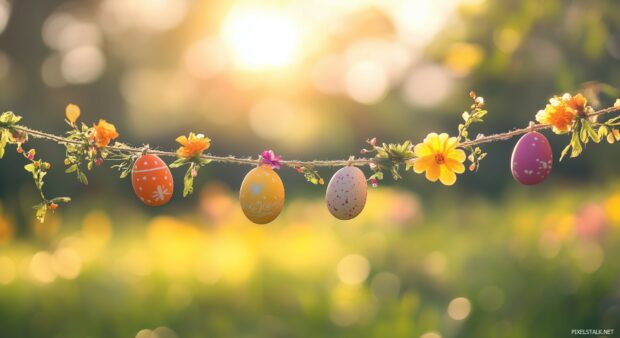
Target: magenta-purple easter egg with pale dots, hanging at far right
532, 159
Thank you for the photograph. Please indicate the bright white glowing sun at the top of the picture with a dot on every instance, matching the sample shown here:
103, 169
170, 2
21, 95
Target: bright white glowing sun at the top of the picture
261, 38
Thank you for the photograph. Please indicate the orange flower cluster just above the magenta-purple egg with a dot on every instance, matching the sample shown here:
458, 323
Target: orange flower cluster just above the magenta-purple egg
561, 112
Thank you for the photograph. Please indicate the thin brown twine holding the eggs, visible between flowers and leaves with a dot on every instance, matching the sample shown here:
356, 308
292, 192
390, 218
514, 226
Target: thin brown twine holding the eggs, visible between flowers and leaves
294, 163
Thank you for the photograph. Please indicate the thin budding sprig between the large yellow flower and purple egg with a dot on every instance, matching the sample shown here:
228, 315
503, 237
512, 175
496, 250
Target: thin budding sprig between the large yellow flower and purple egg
475, 115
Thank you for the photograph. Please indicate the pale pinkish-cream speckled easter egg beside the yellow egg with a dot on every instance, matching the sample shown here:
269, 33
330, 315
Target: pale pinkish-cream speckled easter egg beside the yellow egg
346, 193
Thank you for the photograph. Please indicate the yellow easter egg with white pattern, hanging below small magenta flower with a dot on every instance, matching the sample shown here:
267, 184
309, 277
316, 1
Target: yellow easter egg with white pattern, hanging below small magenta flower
262, 195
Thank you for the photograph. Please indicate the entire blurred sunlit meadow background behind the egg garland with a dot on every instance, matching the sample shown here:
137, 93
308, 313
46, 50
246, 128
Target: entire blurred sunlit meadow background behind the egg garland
309, 79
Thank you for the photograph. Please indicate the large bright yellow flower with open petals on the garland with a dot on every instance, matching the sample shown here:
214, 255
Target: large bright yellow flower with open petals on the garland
439, 157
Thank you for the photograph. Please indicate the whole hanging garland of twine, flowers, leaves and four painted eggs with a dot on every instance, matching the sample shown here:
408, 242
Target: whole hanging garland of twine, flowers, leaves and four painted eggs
439, 156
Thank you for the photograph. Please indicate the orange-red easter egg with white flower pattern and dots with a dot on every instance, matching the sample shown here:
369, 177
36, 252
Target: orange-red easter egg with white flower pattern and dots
152, 181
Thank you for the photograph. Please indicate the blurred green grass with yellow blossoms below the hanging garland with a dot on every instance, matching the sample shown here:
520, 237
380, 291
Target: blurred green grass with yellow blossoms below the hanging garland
535, 262
